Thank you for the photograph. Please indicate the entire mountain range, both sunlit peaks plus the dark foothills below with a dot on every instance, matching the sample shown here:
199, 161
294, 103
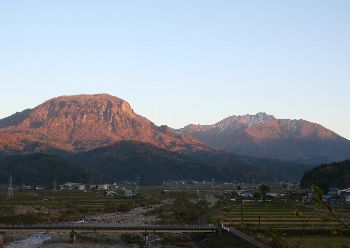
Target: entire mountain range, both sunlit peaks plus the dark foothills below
102, 135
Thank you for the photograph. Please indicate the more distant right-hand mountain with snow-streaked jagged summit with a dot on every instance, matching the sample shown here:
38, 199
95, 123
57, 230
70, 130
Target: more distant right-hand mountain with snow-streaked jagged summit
263, 135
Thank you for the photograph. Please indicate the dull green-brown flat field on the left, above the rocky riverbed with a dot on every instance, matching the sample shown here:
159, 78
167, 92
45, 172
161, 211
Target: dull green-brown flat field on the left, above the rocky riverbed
43, 206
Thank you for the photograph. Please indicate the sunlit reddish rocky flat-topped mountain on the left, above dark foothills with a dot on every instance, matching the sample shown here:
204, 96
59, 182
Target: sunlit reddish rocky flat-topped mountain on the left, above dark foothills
84, 122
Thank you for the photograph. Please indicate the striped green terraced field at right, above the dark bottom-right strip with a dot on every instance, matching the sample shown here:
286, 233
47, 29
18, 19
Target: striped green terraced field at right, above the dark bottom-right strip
275, 215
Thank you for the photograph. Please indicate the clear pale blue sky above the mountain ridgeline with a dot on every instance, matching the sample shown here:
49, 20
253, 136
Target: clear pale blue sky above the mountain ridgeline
182, 61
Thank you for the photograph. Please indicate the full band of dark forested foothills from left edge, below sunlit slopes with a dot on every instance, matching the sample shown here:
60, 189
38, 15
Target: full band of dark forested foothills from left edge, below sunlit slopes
127, 159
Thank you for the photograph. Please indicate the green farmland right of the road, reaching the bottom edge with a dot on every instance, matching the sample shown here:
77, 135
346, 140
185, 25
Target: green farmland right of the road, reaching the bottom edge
293, 225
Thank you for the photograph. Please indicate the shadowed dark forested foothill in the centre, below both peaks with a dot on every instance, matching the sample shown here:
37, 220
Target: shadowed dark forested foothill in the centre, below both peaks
125, 159
